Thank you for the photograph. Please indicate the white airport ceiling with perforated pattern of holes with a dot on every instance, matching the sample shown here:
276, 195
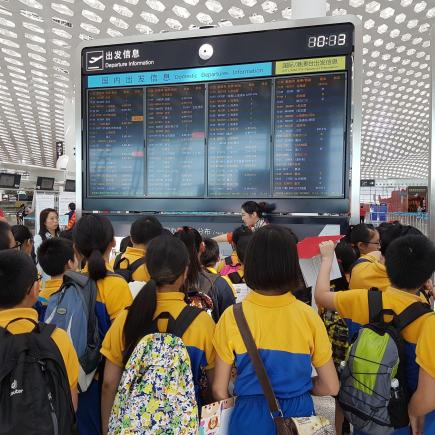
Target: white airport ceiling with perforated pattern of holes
38, 38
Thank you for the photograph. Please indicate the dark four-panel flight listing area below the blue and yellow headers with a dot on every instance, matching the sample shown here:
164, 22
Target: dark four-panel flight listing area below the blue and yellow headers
253, 142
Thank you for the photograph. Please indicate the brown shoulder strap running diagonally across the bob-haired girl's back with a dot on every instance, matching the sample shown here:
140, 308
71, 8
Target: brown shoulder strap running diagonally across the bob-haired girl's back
260, 370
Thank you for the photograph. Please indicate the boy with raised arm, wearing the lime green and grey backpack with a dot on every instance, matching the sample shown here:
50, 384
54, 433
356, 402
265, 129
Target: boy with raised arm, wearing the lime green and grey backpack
410, 262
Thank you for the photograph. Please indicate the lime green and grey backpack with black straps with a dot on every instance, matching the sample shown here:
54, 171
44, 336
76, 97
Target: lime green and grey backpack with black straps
373, 391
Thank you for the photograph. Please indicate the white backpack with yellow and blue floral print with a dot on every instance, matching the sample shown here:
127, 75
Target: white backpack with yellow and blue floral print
156, 394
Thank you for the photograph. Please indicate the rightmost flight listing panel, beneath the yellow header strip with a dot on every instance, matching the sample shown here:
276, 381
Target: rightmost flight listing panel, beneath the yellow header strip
310, 119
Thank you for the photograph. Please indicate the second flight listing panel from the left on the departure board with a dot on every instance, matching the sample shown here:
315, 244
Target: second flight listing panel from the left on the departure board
175, 135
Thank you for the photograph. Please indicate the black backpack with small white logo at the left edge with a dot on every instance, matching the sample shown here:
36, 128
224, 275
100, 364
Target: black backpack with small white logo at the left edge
35, 394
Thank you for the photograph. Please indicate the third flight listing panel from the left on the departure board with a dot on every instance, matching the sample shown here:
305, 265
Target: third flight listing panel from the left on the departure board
239, 130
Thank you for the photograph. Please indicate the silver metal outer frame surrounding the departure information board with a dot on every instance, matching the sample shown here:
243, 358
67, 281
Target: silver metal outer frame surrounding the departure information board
197, 205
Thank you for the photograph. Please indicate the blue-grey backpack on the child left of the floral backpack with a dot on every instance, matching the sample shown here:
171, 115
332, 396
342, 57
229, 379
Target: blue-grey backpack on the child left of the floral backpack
72, 308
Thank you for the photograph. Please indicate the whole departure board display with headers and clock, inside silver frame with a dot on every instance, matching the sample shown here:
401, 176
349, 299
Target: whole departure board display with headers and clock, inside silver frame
274, 129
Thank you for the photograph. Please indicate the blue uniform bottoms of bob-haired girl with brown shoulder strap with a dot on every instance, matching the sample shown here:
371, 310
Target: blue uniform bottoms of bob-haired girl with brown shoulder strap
251, 414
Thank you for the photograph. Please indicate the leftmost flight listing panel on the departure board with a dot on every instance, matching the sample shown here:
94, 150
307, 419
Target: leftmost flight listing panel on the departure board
116, 142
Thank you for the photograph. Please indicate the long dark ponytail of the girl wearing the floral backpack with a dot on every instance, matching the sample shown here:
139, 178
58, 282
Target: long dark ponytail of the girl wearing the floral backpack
140, 317
